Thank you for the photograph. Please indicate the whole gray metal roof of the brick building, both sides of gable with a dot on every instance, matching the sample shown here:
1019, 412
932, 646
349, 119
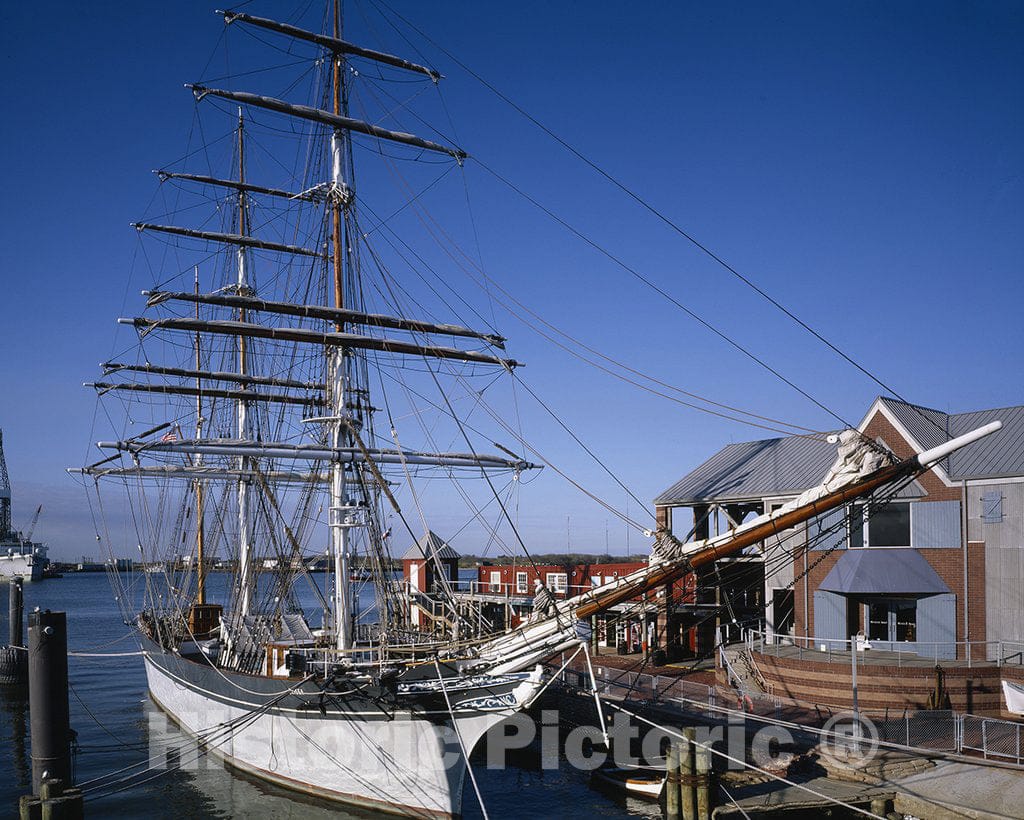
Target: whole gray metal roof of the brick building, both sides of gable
789, 466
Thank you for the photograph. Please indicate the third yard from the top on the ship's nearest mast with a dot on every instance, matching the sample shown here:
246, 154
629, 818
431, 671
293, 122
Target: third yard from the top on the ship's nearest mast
335, 315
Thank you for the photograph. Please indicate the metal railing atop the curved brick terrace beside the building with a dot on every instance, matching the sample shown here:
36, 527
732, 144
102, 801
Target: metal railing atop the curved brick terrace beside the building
833, 651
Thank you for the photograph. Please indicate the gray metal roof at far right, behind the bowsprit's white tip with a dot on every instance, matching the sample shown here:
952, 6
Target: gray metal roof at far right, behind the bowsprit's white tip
997, 456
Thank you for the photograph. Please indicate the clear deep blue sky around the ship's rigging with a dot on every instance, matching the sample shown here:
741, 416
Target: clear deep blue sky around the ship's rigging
862, 162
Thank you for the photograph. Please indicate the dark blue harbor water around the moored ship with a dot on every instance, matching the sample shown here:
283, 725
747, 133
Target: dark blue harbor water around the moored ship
158, 772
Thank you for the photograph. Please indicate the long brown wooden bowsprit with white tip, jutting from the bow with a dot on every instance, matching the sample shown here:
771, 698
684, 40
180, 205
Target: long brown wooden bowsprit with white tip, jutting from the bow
672, 571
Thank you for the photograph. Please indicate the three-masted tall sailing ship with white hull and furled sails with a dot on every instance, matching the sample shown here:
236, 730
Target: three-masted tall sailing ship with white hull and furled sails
264, 442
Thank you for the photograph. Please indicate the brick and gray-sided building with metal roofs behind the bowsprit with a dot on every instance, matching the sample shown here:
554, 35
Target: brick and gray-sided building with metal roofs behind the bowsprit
942, 562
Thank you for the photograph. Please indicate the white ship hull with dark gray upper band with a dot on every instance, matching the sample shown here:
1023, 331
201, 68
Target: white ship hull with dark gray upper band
407, 761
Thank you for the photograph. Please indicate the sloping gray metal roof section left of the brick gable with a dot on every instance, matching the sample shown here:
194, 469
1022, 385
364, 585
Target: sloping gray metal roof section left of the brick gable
754, 470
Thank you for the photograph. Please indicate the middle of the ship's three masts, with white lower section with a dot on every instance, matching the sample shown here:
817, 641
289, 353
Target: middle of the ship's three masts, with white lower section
242, 406
